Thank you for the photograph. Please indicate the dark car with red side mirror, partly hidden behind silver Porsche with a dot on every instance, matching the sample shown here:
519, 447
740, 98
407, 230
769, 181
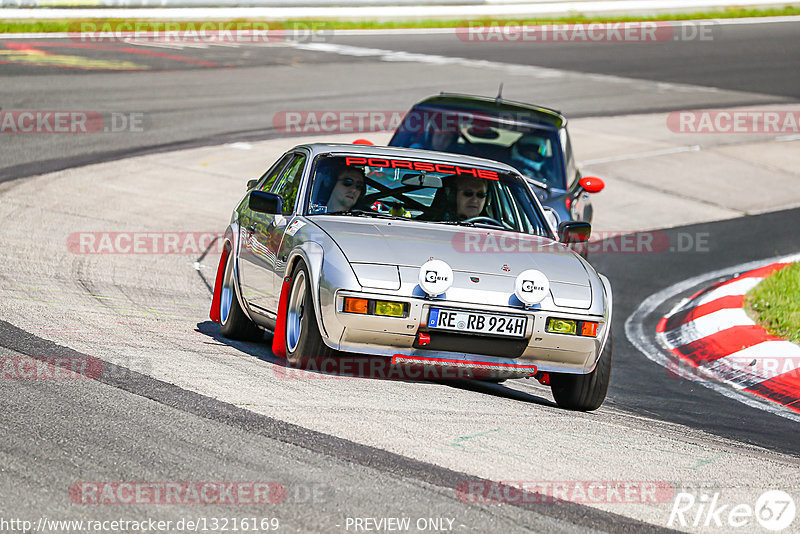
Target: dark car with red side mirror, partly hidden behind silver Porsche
530, 138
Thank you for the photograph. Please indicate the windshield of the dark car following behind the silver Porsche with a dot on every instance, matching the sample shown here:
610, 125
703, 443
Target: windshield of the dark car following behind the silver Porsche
534, 151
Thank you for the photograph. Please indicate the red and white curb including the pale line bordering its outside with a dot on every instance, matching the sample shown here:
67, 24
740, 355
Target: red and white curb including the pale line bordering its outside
710, 339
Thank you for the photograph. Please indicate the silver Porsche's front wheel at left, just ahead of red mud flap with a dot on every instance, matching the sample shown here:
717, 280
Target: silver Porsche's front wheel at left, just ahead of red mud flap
303, 340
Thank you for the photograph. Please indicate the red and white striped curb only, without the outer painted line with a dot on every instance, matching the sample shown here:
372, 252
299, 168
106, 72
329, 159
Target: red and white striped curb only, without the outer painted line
715, 339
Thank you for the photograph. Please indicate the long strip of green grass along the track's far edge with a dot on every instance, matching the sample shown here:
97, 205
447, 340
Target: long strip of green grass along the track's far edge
70, 25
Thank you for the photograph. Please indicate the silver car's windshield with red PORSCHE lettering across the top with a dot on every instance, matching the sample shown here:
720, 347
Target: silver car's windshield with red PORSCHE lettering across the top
422, 190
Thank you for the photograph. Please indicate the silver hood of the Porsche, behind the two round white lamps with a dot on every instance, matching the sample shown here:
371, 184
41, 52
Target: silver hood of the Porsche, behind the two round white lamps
471, 252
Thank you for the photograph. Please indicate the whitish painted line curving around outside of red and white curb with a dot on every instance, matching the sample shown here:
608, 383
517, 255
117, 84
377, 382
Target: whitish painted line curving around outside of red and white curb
644, 341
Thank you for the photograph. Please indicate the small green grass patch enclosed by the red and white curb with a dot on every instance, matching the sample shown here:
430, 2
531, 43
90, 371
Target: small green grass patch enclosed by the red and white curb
775, 303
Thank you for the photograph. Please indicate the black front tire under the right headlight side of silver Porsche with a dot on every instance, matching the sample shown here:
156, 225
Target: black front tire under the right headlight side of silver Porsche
584, 392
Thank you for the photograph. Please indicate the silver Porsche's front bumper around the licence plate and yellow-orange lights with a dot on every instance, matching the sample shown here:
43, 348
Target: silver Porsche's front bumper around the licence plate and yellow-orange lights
508, 357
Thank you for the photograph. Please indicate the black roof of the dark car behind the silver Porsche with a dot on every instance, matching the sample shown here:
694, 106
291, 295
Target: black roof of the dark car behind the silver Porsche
494, 106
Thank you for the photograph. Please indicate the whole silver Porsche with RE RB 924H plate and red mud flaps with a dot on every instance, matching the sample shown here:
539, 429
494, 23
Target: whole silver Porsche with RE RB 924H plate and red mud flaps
431, 259
